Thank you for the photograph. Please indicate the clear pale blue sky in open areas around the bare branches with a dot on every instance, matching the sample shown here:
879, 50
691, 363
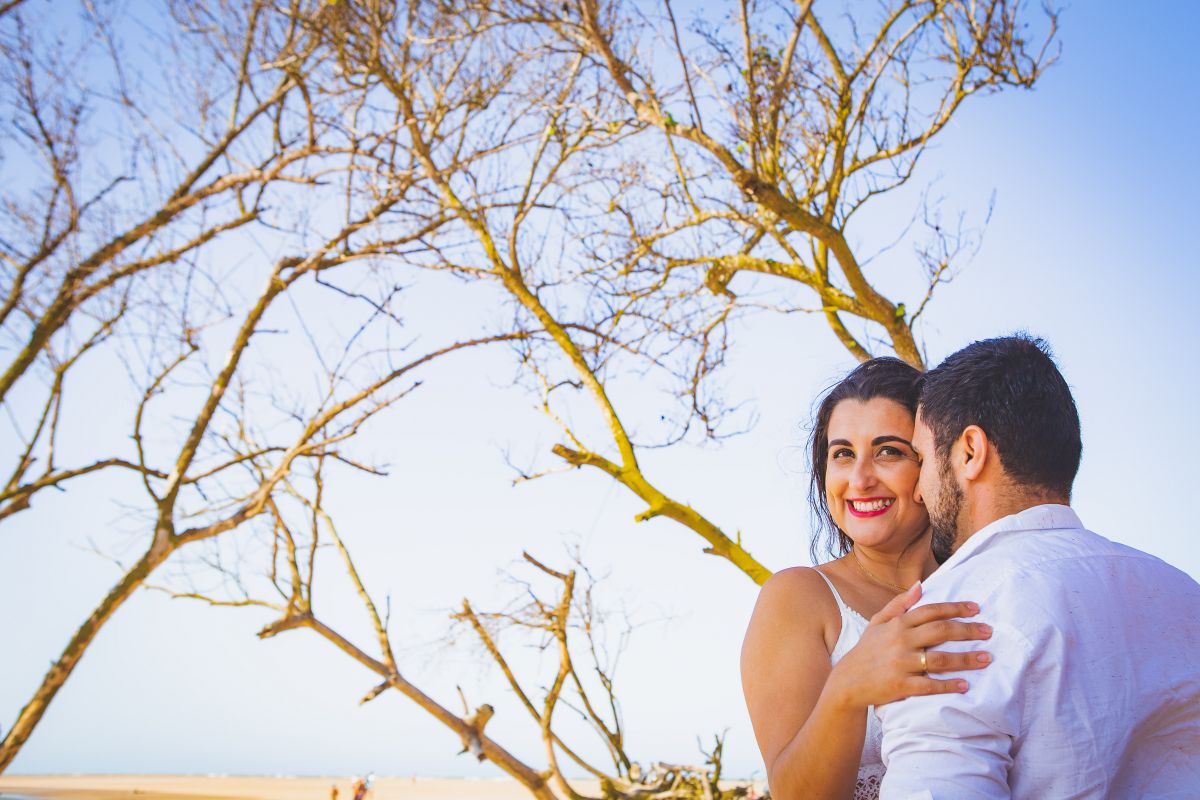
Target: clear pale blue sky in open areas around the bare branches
1093, 245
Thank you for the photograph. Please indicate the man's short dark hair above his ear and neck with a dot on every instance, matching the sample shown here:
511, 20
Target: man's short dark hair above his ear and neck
1011, 388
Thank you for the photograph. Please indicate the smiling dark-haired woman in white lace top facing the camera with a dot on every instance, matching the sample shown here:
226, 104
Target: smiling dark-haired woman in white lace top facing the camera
813, 666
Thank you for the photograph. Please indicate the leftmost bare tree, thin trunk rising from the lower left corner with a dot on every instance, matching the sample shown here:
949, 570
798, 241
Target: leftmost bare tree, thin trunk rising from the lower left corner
213, 431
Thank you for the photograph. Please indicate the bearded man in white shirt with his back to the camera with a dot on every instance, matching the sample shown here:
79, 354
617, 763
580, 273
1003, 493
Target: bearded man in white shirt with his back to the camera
1095, 687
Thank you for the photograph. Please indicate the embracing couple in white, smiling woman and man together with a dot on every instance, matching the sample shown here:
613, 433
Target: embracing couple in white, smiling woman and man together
973, 639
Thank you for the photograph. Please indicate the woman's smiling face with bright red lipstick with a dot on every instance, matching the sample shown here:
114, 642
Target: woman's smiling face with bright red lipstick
872, 474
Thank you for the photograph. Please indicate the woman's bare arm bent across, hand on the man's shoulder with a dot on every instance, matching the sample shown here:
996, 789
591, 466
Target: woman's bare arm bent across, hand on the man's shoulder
811, 720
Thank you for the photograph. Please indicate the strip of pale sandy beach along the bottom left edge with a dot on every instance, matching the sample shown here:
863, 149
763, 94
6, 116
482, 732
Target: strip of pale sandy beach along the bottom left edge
194, 787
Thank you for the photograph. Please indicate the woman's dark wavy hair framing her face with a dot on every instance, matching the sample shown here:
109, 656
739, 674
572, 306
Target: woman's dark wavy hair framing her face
884, 377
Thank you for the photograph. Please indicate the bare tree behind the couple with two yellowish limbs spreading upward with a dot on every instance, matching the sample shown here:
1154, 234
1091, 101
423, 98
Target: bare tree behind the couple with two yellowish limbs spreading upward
626, 261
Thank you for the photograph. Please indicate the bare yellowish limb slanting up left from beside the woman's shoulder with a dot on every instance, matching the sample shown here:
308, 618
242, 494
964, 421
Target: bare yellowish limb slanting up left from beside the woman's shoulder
512, 215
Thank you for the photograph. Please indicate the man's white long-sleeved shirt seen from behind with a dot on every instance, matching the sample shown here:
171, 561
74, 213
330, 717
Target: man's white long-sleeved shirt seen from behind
1095, 685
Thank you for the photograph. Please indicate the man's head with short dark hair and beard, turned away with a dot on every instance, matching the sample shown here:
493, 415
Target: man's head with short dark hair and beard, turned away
998, 431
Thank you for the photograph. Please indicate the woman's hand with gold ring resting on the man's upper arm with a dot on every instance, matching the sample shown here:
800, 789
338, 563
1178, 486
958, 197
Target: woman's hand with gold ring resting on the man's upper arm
892, 660
